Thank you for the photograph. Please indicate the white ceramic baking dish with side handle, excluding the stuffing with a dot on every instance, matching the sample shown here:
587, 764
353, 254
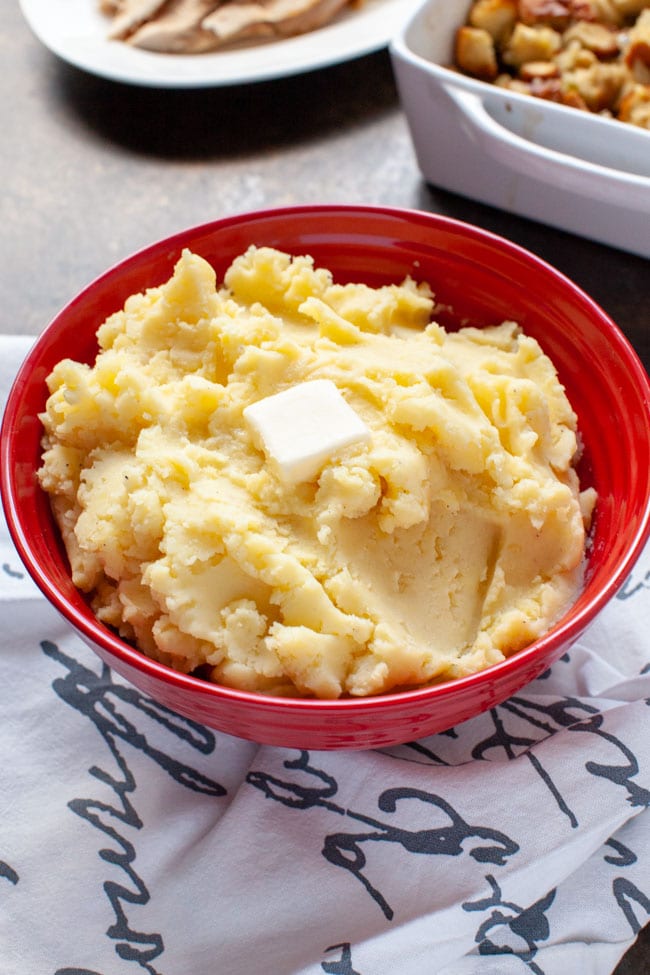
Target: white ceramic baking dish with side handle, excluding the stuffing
561, 166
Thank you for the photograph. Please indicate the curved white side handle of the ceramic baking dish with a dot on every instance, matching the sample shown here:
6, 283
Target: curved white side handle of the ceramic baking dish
567, 172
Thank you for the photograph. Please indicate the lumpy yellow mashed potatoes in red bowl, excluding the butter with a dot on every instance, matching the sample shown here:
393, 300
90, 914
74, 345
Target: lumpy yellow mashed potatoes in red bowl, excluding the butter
450, 539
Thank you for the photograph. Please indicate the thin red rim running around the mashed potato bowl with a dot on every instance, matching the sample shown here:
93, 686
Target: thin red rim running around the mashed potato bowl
566, 630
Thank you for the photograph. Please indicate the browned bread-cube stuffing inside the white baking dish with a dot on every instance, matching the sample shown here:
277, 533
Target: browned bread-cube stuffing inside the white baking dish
588, 54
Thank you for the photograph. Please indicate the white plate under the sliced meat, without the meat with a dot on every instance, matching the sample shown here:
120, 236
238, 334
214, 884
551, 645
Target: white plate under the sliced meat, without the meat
77, 32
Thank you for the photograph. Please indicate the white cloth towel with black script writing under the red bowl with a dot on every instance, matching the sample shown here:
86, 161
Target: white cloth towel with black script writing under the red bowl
134, 840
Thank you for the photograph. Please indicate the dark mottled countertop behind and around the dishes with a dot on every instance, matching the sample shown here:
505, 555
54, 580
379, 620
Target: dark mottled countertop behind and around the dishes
93, 170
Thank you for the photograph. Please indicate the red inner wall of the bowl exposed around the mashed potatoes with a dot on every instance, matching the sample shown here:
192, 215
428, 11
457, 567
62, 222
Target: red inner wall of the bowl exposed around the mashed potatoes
485, 280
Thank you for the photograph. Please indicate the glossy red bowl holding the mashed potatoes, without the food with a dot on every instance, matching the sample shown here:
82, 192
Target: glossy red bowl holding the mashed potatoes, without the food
484, 278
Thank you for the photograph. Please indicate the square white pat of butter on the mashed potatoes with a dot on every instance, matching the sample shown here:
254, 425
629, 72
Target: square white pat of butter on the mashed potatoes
302, 427
